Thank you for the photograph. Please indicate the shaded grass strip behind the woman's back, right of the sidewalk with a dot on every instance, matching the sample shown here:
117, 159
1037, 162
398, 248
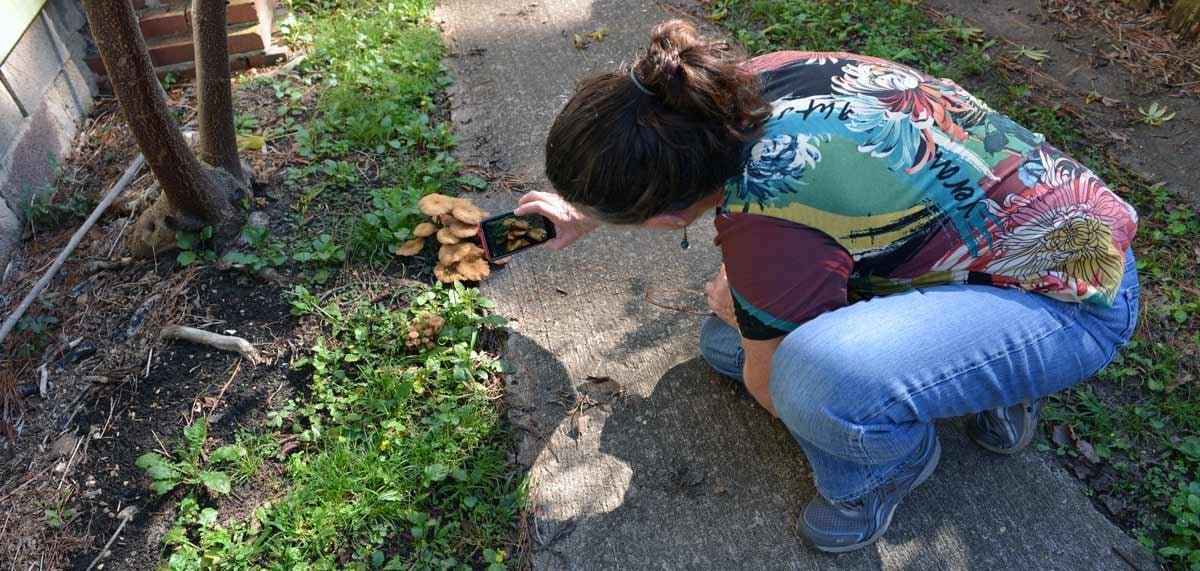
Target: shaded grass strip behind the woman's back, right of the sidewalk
1142, 416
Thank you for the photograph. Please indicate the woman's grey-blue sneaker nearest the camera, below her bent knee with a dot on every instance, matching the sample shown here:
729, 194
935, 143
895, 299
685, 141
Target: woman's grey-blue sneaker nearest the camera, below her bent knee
839, 527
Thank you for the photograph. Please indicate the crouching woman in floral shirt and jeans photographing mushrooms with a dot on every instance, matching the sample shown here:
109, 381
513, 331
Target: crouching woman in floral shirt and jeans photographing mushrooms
895, 251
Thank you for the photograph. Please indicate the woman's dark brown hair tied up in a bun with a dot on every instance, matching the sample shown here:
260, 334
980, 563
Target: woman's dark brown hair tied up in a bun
626, 155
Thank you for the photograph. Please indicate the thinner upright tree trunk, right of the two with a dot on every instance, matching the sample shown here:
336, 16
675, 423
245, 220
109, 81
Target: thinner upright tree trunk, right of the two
214, 95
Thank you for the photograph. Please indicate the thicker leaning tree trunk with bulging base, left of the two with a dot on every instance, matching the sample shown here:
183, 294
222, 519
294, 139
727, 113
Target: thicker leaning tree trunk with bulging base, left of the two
194, 196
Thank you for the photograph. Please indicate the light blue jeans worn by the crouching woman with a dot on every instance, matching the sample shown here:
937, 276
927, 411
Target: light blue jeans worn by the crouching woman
860, 386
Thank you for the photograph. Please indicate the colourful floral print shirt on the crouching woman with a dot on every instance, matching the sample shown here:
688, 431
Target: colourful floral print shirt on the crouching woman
872, 178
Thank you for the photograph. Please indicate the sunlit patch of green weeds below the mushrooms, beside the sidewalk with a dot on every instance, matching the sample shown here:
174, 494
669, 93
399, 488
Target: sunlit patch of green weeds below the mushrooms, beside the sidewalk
403, 460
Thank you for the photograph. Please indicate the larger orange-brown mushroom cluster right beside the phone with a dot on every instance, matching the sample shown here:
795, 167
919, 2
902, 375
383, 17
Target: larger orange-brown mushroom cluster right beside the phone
454, 224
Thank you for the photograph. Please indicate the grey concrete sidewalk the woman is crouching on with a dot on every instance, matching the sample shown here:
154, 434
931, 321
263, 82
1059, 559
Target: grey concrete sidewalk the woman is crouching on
668, 465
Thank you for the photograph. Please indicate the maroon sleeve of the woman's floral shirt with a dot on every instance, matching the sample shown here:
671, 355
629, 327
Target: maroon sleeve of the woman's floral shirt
782, 274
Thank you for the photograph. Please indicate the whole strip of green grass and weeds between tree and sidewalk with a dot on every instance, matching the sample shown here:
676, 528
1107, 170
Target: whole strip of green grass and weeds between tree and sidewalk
398, 456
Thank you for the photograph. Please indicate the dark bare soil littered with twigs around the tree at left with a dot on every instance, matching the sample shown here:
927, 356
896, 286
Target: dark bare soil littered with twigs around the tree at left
115, 392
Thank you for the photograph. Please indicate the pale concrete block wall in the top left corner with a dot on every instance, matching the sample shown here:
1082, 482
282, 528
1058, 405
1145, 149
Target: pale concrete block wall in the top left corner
46, 89
